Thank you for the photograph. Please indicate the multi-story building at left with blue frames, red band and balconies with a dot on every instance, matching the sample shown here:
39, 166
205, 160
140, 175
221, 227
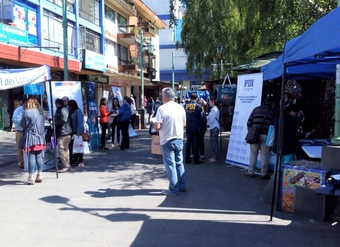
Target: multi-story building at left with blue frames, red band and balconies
32, 35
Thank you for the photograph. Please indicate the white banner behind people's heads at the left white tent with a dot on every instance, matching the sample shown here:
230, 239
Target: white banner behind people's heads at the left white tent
70, 89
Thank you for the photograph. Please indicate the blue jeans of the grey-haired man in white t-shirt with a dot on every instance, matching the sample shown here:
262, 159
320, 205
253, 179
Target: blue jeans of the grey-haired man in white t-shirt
173, 162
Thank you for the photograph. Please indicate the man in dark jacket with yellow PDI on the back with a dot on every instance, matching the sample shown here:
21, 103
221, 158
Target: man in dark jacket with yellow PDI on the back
194, 118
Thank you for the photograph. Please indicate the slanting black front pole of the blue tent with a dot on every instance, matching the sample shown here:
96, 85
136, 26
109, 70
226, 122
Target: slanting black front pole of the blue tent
277, 167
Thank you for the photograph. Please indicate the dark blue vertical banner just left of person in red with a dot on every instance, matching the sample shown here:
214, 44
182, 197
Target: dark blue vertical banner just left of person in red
92, 115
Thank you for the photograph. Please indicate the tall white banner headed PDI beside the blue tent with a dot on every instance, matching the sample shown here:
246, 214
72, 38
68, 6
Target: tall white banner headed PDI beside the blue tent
248, 96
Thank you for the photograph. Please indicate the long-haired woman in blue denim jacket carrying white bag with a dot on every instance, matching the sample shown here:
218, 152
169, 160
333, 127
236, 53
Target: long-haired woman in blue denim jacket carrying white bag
77, 120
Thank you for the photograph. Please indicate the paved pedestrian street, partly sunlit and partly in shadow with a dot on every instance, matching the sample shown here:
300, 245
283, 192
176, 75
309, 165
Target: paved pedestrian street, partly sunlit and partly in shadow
115, 200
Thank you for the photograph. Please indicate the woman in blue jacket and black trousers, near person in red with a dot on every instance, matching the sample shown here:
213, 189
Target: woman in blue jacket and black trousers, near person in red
124, 119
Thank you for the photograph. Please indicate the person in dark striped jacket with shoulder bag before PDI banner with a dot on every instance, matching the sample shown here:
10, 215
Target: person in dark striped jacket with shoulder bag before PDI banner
262, 116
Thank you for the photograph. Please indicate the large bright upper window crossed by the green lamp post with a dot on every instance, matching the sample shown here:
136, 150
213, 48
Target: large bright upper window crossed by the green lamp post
53, 32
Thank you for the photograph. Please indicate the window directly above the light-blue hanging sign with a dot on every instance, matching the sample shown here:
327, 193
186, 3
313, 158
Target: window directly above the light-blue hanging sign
89, 40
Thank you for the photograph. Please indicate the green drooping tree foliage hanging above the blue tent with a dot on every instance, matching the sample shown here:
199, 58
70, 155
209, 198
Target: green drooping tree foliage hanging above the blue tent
237, 31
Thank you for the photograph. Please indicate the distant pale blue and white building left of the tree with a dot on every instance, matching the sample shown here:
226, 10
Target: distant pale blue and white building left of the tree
173, 62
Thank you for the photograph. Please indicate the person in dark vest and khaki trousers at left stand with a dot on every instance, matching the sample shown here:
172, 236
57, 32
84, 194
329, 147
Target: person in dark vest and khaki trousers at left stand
63, 126
